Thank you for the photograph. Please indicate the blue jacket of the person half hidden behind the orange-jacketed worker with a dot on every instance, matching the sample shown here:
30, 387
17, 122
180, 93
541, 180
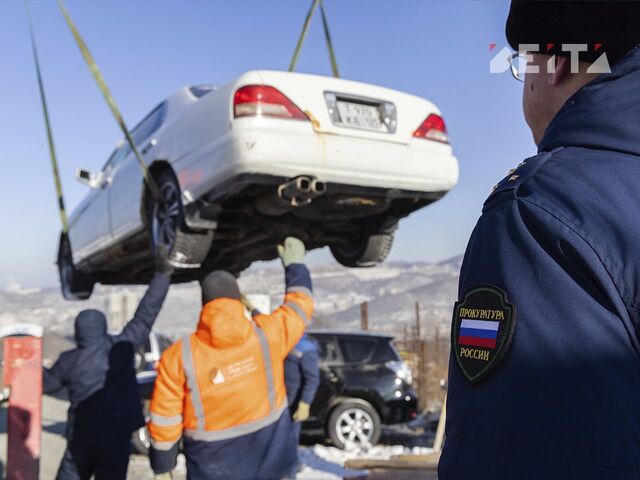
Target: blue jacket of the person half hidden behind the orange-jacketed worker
301, 373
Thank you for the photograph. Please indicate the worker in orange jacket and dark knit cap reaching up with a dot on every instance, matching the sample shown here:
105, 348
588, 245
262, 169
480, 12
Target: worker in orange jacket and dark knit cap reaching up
221, 390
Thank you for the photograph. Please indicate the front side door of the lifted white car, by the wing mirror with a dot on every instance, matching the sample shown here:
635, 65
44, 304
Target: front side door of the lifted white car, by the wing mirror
90, 230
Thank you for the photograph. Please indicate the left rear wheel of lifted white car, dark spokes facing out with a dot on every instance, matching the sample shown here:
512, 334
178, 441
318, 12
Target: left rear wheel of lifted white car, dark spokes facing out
187, 248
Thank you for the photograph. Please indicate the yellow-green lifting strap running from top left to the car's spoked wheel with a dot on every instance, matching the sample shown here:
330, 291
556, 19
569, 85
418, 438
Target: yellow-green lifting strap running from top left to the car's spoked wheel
97, 76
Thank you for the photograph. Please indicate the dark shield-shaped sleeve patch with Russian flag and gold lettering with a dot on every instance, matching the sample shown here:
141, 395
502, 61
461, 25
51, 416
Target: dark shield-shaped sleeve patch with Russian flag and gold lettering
481, 332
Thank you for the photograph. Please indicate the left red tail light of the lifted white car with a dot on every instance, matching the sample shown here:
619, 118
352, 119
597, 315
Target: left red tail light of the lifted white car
263, 100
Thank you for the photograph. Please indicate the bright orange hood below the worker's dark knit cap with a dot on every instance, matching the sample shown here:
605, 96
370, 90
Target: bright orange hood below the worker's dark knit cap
223, 323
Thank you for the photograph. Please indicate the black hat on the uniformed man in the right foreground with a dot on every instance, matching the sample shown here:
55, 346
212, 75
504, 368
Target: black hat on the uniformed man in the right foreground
605, 26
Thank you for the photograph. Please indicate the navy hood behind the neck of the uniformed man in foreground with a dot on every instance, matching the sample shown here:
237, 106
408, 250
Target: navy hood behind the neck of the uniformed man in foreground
604, 114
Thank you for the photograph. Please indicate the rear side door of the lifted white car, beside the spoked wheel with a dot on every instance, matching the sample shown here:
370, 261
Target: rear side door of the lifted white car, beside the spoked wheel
126, 182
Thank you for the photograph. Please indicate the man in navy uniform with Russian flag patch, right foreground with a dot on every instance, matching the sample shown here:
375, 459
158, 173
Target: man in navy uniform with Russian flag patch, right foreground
544, 379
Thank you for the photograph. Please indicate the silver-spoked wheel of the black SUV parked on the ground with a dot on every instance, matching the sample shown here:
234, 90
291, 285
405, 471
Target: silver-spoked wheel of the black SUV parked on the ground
354, 423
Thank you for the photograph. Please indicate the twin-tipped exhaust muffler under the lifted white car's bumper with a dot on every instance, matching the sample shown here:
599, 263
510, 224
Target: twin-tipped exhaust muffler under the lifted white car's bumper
294, 193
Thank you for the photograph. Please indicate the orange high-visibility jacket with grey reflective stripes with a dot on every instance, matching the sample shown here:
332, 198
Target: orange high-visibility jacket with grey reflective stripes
227, 379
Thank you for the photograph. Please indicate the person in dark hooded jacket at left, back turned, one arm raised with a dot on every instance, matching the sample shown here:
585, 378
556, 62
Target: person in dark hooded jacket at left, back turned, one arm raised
101, 381
